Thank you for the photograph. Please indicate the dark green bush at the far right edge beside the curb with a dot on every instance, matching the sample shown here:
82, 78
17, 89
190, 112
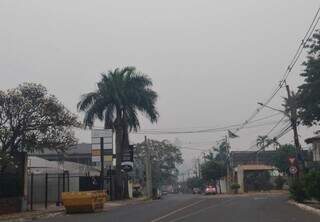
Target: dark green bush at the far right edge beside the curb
312, 184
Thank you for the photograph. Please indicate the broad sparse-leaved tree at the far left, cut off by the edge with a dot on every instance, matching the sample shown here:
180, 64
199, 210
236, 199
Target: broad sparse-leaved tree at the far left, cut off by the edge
31, 120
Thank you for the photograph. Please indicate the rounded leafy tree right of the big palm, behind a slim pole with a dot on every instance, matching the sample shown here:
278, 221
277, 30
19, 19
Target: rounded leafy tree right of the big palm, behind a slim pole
165, 157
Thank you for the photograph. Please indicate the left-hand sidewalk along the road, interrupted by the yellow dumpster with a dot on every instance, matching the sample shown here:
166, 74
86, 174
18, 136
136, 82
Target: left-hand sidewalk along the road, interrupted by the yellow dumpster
54, 211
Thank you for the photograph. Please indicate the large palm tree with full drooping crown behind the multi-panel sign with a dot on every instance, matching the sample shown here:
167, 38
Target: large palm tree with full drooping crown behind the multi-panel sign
120, 95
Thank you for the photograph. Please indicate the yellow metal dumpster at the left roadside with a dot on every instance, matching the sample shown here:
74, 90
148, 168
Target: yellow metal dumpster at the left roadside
78, 202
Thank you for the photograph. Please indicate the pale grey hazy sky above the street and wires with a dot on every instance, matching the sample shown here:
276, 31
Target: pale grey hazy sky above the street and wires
211, 61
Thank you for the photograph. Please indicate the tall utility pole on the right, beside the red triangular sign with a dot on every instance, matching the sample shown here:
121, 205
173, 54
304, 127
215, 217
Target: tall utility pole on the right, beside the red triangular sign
293, 118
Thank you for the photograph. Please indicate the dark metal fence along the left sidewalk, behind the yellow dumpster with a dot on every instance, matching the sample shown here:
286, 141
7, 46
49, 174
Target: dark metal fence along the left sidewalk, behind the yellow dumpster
45, 189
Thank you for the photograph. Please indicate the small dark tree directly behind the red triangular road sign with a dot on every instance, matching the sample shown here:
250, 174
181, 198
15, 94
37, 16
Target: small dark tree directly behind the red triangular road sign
281, 156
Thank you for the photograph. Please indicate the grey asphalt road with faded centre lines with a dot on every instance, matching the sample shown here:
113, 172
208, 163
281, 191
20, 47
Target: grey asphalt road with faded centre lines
248, 208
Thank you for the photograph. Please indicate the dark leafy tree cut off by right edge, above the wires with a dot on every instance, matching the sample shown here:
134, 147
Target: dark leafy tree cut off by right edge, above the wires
308, 96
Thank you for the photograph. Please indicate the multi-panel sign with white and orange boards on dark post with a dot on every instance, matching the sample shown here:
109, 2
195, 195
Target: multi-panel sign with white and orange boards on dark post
107, 135
